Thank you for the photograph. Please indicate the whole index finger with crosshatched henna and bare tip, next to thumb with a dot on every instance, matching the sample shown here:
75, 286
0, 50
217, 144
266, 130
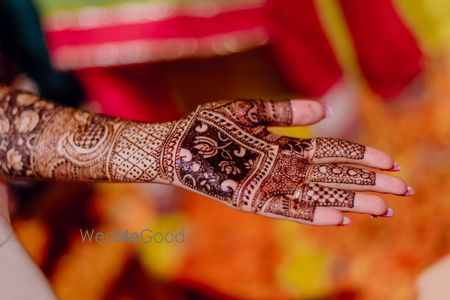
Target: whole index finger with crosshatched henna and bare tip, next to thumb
335, 150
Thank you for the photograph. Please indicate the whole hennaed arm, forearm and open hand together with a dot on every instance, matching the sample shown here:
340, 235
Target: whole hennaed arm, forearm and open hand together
222, 150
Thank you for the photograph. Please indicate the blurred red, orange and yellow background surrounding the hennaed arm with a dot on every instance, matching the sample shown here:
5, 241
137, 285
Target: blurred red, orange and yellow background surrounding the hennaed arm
384, 67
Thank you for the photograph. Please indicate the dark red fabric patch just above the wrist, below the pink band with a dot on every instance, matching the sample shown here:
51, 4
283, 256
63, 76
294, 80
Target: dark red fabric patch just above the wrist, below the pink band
134, 92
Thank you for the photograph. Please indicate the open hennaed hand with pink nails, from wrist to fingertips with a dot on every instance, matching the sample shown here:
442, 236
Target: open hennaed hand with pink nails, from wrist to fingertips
224, 150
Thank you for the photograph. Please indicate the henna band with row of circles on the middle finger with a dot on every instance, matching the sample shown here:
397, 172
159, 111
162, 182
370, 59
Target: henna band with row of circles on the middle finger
335, 173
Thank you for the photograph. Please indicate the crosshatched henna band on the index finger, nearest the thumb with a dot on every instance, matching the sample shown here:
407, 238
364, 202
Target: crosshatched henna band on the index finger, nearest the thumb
329, 147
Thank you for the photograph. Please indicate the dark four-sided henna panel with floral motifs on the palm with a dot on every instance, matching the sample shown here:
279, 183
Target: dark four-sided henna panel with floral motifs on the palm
213, 162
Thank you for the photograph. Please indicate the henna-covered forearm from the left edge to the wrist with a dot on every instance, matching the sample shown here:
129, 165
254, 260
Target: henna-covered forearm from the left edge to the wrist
39, 139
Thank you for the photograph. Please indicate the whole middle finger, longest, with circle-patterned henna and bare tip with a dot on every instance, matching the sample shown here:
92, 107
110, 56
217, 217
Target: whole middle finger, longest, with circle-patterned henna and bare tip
357, 179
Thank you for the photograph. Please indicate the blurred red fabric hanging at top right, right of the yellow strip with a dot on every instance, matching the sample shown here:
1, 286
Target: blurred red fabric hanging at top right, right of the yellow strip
387, 52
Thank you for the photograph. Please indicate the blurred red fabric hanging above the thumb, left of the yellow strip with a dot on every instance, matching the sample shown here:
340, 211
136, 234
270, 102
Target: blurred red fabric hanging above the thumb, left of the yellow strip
301, 47
